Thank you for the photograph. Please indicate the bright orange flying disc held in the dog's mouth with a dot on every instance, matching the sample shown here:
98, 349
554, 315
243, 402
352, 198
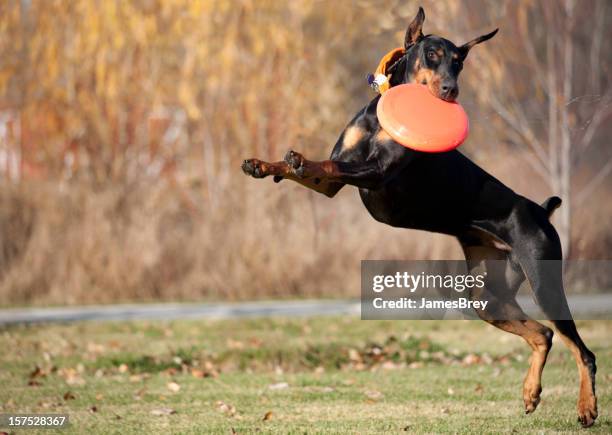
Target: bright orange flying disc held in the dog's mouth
412, 116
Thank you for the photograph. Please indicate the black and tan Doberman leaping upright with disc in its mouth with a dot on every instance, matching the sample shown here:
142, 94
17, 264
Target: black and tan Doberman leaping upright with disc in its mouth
490, 221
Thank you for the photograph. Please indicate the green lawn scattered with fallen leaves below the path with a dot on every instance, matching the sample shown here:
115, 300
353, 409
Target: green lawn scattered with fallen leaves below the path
318, 375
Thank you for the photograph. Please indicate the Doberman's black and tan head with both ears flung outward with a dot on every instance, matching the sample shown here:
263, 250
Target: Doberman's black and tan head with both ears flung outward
433, 61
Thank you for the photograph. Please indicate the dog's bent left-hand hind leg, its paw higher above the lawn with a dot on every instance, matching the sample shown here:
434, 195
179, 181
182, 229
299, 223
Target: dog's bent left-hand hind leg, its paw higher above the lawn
503, 279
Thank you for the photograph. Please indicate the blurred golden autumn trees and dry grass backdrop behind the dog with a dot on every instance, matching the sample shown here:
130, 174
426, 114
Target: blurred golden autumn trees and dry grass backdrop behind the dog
123, 125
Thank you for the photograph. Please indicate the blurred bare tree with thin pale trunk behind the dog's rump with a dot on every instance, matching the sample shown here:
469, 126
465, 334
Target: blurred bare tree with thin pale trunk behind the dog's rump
551, 85
